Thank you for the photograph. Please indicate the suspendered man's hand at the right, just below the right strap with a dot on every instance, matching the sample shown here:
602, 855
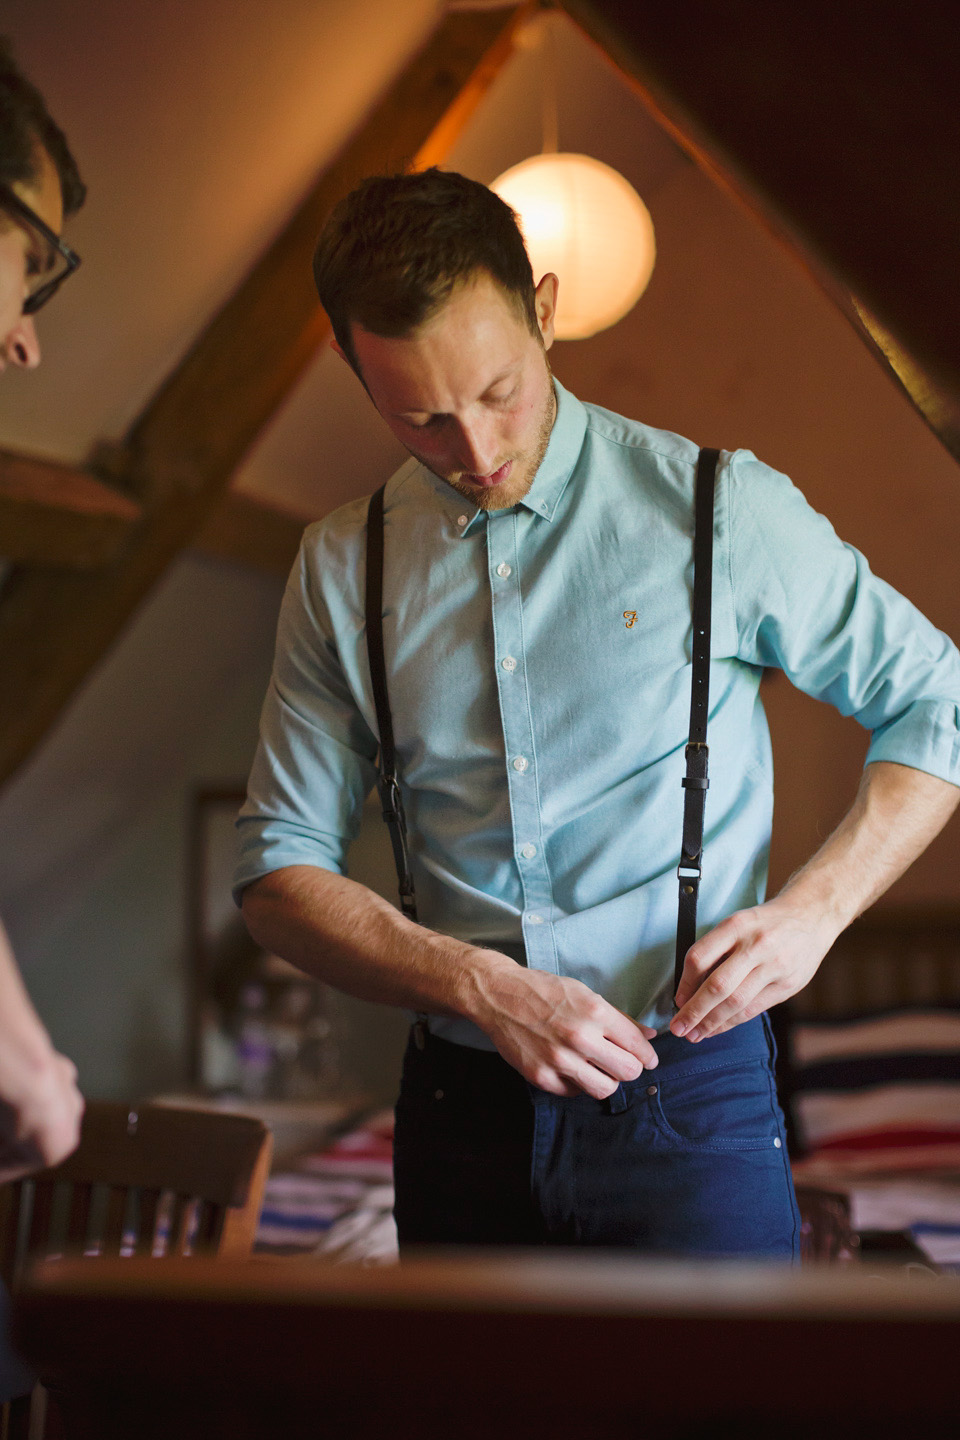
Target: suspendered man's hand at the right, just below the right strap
749, 963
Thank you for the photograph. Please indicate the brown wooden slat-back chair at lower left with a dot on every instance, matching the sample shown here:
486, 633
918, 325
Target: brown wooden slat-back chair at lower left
149, 1182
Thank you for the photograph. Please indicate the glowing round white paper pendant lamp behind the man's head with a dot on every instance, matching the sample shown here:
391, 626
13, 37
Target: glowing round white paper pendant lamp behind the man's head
588, 225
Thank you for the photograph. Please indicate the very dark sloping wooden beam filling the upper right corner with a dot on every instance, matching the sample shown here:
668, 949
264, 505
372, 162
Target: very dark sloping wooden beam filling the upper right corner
838, 126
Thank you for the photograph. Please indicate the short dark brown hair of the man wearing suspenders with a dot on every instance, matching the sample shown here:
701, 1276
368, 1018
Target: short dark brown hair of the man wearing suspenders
395, 248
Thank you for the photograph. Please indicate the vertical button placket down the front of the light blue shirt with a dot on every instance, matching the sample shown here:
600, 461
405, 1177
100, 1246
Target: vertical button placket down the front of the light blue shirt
519, 738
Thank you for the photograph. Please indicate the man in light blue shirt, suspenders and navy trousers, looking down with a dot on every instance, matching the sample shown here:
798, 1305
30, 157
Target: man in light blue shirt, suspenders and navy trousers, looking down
538, 626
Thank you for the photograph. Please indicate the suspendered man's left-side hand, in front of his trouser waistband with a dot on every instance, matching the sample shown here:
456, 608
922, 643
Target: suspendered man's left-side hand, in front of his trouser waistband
559, 1035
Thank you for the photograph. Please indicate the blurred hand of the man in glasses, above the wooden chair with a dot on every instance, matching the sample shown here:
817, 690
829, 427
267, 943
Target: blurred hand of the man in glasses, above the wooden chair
40, 1117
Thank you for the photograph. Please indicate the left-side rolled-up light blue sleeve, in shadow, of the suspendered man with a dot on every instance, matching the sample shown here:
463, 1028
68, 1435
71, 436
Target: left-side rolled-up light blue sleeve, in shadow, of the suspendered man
316, 758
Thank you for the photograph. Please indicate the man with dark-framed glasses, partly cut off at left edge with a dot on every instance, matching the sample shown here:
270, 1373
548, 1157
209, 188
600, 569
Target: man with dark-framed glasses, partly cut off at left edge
40, 184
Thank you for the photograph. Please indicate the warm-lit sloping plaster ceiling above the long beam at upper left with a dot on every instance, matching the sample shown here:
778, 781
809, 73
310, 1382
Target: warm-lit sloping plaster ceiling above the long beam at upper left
199, 126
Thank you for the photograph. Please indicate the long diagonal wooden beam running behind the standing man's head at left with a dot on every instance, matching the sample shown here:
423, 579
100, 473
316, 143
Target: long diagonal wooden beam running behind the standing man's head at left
178, 460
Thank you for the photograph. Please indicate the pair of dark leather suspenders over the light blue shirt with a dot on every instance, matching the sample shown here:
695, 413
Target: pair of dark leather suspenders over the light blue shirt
694, 783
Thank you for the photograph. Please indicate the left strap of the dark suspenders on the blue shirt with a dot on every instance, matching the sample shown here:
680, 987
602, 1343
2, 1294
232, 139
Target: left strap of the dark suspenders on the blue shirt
388, 783
